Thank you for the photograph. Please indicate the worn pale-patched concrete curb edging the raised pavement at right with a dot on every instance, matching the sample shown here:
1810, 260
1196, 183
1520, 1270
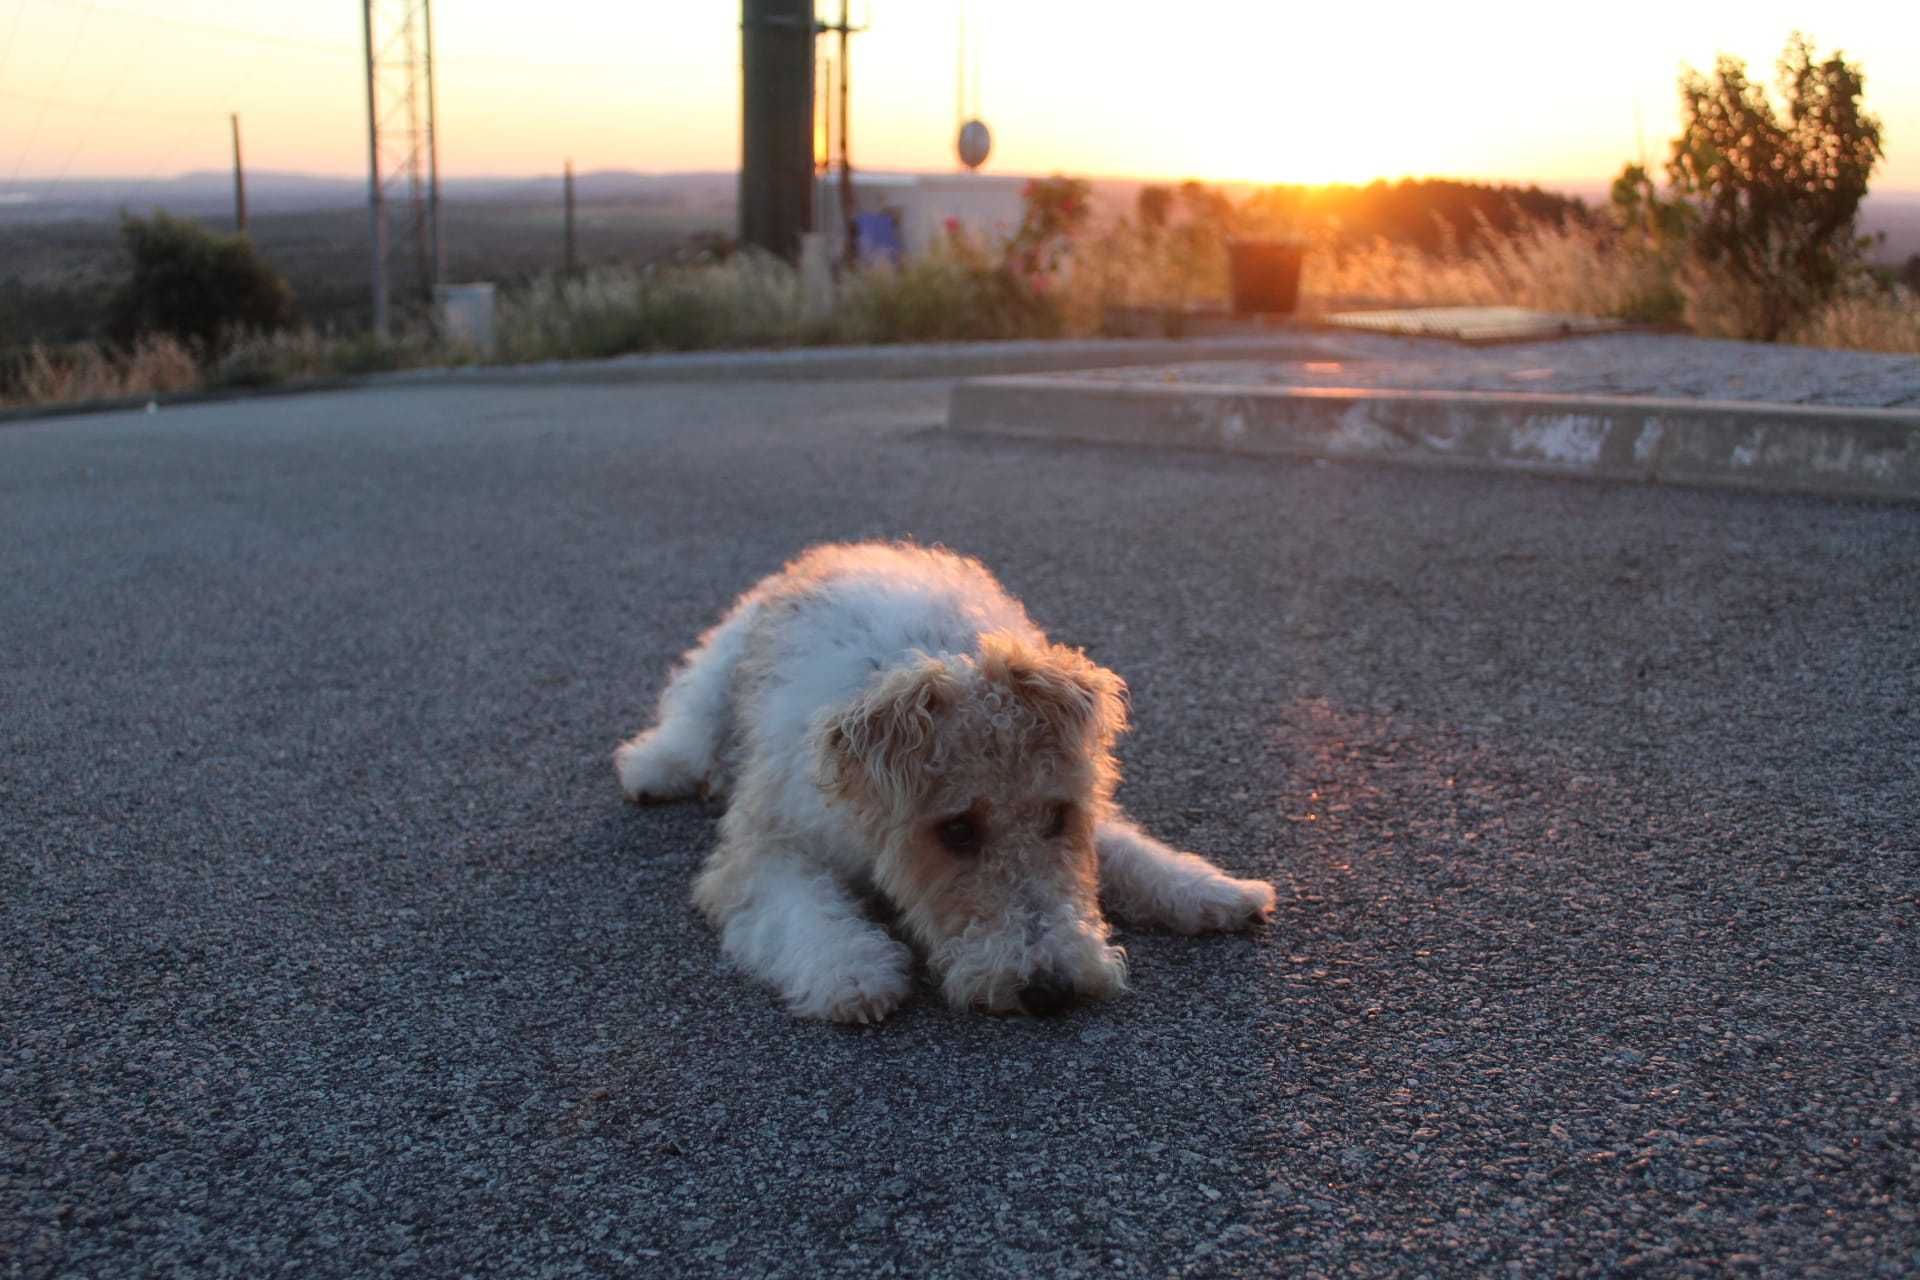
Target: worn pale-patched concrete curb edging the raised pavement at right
1719, 444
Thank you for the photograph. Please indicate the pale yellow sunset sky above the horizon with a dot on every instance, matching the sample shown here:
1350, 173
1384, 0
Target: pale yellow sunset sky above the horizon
1280, 93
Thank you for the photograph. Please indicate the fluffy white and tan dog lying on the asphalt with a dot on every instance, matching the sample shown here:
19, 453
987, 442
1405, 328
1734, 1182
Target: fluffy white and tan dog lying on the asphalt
886, 719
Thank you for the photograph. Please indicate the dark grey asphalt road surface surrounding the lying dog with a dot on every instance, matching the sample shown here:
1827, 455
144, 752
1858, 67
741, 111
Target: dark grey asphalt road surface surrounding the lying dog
329, 949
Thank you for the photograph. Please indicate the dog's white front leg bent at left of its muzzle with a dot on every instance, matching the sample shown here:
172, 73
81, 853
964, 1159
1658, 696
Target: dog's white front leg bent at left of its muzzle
796, 928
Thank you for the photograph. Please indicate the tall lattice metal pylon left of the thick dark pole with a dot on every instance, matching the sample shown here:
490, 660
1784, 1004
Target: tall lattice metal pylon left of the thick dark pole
400, 145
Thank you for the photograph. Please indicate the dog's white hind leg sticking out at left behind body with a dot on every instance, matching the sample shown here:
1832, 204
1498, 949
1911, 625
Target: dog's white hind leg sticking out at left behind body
677, 757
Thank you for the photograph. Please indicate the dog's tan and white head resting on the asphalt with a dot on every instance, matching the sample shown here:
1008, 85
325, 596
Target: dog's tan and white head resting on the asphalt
980, 782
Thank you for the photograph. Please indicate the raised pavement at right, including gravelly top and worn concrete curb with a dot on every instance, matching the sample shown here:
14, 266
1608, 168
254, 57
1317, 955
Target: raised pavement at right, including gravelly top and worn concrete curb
1683, 419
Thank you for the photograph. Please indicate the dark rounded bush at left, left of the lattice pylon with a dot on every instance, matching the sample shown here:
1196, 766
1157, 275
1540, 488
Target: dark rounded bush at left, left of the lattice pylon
197, 285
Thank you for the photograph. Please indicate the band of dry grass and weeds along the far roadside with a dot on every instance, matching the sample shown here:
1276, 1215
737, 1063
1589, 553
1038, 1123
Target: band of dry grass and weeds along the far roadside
959, 293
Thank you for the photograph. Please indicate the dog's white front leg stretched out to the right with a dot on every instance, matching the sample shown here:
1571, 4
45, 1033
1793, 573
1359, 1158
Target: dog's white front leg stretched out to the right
1149, 884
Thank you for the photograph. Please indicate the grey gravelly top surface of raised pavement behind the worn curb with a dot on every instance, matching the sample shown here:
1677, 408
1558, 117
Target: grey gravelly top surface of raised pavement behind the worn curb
1598, 366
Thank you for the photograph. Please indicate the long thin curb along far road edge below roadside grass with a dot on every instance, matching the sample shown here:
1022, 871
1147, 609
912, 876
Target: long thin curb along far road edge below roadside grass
944, 360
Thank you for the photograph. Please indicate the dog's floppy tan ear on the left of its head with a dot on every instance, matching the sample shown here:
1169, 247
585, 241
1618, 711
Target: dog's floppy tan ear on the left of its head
876, 751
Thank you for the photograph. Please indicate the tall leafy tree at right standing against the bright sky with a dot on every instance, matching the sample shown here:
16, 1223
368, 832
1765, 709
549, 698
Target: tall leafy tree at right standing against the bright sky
1775, 197
